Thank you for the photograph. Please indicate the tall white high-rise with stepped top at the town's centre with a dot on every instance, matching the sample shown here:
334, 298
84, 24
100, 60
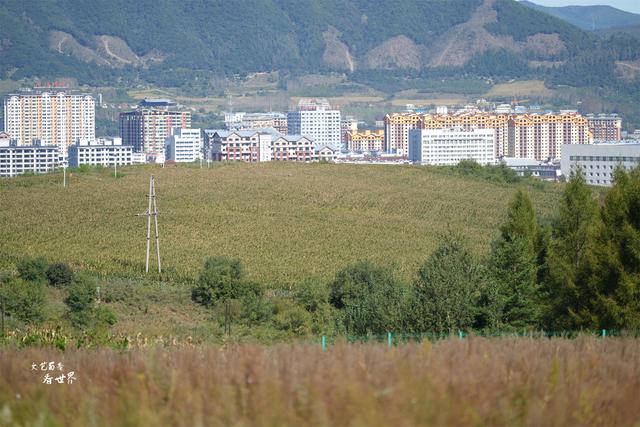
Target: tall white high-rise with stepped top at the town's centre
315, 119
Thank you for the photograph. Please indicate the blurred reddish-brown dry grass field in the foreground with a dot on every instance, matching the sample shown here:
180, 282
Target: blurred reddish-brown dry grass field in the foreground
475, 381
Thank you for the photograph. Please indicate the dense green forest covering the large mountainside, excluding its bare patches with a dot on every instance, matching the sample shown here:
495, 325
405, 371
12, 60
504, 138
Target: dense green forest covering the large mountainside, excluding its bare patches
201, 39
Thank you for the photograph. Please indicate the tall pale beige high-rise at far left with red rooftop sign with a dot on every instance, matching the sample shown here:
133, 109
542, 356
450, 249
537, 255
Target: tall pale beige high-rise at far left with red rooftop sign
52, 117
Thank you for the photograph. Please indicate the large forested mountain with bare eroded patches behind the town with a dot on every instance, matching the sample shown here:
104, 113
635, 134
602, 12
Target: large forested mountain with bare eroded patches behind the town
175, 42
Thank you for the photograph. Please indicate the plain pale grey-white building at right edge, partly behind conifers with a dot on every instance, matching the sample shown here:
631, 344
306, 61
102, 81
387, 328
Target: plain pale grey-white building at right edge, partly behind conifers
598, 161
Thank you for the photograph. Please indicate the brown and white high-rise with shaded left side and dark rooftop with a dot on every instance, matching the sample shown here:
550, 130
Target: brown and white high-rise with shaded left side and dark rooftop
148, 129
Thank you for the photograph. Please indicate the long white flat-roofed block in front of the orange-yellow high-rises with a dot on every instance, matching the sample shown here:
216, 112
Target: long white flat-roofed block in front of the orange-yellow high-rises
450, 146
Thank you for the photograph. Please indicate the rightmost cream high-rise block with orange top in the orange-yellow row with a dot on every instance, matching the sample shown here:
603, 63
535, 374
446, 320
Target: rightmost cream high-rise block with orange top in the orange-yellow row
541, 136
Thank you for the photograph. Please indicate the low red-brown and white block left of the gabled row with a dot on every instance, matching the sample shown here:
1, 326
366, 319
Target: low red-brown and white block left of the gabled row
250, 146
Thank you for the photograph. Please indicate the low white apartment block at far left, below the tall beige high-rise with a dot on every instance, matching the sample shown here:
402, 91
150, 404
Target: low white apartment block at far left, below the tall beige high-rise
17, 159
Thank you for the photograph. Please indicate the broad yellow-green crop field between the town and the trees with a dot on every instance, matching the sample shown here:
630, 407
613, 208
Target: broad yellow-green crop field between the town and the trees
284, 221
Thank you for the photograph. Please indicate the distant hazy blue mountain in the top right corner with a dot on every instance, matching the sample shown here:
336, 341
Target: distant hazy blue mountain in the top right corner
590, 18
